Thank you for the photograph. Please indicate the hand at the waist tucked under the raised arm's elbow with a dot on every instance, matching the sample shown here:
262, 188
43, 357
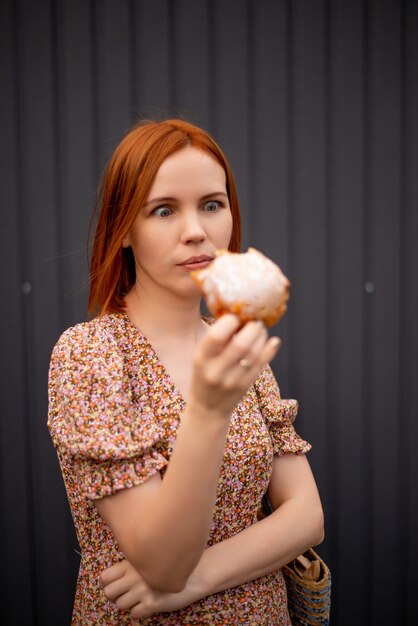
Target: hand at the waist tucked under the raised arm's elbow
125, 586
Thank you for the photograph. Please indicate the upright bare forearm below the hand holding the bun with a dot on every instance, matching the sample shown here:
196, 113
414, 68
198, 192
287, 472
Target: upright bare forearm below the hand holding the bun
188, 493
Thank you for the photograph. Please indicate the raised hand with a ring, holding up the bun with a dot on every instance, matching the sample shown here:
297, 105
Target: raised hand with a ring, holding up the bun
228, 361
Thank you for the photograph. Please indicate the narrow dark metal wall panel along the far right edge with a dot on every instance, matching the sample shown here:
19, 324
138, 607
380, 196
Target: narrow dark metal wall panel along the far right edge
408, 399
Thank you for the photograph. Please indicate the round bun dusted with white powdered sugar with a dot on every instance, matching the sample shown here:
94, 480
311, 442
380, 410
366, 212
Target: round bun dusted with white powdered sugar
249, 285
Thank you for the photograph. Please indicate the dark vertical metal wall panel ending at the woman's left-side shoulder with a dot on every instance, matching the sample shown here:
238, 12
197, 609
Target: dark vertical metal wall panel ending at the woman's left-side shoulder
78, 174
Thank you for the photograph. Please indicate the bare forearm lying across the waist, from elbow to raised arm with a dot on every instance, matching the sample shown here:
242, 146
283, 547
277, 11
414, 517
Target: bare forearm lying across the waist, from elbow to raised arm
261, 548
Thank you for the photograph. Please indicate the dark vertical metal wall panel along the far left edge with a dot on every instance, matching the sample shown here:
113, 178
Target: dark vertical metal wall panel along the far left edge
16, 522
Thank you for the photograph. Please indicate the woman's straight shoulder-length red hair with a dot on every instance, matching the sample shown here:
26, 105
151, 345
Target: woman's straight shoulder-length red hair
124, 189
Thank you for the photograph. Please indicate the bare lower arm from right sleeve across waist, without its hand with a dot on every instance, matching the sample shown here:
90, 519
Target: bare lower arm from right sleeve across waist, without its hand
296, 524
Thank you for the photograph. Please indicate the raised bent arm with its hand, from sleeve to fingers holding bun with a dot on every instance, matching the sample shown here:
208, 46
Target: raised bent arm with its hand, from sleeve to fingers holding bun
148, 520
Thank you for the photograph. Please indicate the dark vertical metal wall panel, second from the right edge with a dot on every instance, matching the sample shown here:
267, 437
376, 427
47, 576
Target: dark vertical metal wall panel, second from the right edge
384, 268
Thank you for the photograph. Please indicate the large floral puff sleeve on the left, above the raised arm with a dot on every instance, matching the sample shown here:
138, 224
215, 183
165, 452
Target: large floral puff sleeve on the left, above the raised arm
112, 443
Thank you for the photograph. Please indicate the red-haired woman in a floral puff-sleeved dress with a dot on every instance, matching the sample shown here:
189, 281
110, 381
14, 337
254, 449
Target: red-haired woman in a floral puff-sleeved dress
168, 429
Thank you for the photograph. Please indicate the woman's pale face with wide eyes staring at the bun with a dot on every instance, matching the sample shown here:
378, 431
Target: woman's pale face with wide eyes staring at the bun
185, 219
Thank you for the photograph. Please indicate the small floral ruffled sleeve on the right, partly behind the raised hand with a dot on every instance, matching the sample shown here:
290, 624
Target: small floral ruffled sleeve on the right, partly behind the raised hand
278, 415
